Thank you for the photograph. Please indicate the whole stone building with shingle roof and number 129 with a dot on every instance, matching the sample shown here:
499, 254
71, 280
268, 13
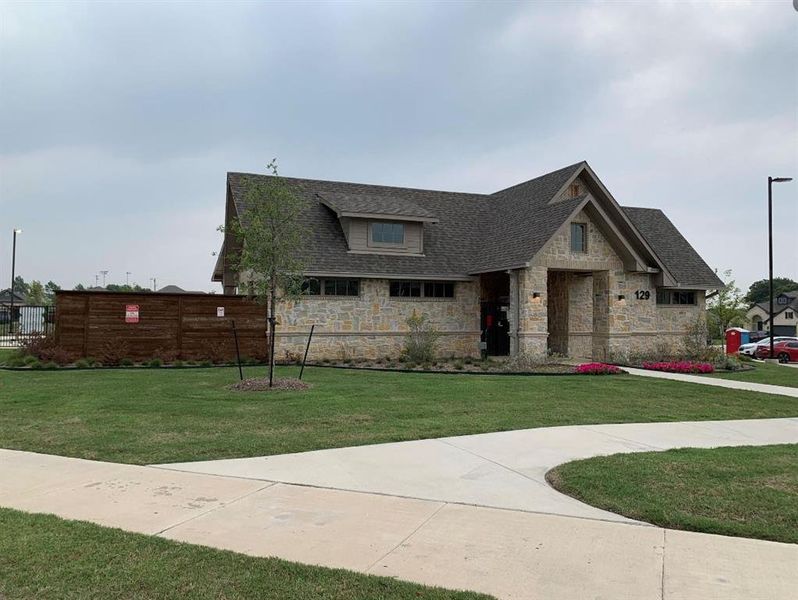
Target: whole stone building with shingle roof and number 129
553, 264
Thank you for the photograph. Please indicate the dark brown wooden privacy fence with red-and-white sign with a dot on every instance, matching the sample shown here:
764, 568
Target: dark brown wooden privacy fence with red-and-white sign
152, 325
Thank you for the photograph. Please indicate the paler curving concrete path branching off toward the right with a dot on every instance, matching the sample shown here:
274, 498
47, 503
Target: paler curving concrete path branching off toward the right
500, 470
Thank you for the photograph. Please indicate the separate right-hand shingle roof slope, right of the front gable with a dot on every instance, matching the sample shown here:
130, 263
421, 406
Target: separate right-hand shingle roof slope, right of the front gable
673, 249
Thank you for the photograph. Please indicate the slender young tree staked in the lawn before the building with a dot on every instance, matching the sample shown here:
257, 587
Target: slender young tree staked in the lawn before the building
270, 240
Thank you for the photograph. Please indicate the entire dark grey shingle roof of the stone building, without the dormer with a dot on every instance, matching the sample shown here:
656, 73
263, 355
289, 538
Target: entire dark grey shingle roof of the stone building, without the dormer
474, 233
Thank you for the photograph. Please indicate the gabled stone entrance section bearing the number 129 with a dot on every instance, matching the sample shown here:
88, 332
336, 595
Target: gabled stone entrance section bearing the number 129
603, 308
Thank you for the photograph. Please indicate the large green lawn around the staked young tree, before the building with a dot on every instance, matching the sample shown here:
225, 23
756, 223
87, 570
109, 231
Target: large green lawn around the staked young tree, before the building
163, 415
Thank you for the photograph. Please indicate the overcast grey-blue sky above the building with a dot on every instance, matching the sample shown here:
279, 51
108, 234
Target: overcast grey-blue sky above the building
118, 121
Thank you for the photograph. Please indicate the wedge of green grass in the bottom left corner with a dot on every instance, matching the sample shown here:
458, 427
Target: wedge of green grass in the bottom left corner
45, 557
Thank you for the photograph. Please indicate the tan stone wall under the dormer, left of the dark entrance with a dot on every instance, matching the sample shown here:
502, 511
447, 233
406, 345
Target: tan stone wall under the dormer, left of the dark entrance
373, 324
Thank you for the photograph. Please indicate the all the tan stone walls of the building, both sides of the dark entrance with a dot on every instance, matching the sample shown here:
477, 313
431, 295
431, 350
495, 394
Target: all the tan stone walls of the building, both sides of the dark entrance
601, 309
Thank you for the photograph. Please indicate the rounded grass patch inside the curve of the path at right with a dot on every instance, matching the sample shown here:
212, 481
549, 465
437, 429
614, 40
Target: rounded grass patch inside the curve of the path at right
744, 491
